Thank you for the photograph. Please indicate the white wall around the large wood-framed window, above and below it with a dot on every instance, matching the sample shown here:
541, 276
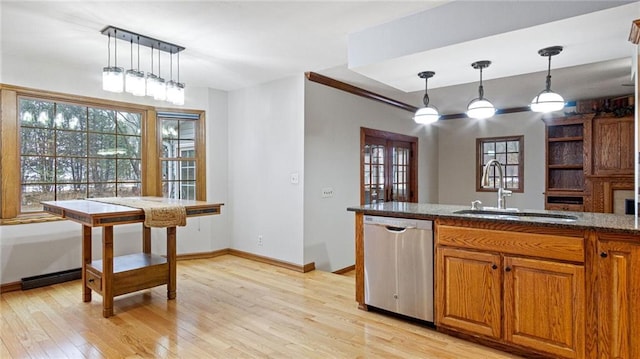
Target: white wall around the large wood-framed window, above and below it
34, 249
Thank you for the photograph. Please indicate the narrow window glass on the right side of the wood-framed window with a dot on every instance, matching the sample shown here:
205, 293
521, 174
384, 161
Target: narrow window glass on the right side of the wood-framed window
178, 157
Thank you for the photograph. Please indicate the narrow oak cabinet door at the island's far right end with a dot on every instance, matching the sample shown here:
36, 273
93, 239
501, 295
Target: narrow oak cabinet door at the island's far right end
618, 300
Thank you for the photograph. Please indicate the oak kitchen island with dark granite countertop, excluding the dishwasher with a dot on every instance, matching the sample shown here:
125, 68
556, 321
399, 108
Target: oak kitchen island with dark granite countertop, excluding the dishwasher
536, 283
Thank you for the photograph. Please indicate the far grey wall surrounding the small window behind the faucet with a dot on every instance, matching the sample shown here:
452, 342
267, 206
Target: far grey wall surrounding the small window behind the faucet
457, 148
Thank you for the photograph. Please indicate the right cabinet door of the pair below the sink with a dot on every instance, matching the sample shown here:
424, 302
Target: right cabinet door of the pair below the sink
544, 306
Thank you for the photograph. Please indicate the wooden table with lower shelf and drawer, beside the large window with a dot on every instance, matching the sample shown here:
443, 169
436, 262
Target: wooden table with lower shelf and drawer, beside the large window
114, 276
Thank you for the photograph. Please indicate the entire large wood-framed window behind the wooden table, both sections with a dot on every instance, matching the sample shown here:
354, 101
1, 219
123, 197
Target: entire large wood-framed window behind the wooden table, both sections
57, 147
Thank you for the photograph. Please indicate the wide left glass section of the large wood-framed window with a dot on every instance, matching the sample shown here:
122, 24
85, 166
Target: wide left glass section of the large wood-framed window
70, 151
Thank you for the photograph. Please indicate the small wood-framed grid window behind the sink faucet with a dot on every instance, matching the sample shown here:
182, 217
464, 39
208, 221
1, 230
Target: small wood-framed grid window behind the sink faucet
509, 151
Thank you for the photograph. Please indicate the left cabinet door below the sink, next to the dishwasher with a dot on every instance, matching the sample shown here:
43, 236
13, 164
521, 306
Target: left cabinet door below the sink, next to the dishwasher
468, 291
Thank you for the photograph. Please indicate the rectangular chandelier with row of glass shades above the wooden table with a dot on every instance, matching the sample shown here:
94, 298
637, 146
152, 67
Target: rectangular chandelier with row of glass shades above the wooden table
134, 81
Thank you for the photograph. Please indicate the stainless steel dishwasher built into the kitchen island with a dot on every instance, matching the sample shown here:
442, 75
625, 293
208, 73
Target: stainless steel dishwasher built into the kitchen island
398, 266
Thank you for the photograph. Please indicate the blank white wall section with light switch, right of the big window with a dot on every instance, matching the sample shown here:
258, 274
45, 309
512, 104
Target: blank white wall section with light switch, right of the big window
266, 146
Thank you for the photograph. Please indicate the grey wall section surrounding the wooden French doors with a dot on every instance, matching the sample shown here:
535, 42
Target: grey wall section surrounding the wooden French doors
332, 159
